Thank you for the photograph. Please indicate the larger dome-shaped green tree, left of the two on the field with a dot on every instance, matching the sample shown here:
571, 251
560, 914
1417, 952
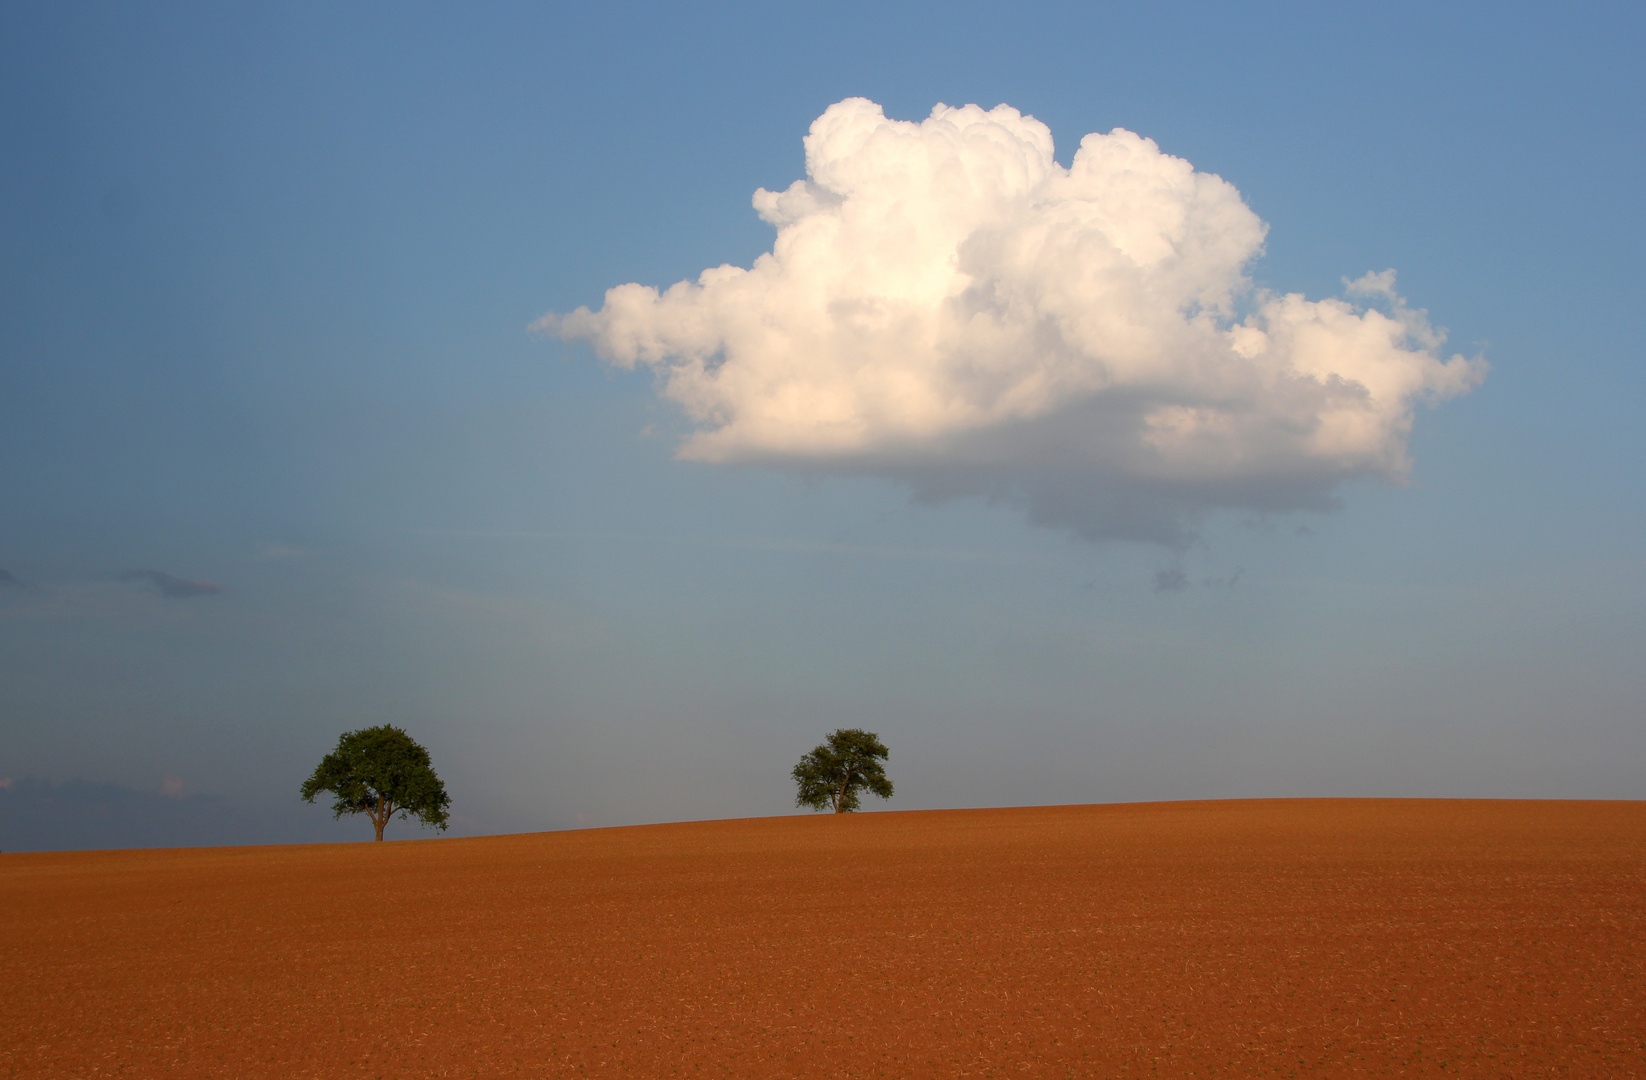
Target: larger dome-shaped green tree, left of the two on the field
381, 773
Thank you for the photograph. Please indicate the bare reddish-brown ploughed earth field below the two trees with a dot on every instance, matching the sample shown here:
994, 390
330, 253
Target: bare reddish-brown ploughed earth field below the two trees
1217, 939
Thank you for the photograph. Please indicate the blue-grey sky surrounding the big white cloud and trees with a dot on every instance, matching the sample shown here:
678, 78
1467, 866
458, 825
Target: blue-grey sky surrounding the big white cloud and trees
266, 292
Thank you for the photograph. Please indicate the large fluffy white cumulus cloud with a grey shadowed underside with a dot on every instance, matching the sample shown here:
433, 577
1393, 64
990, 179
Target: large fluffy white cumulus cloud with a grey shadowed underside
949, 305
